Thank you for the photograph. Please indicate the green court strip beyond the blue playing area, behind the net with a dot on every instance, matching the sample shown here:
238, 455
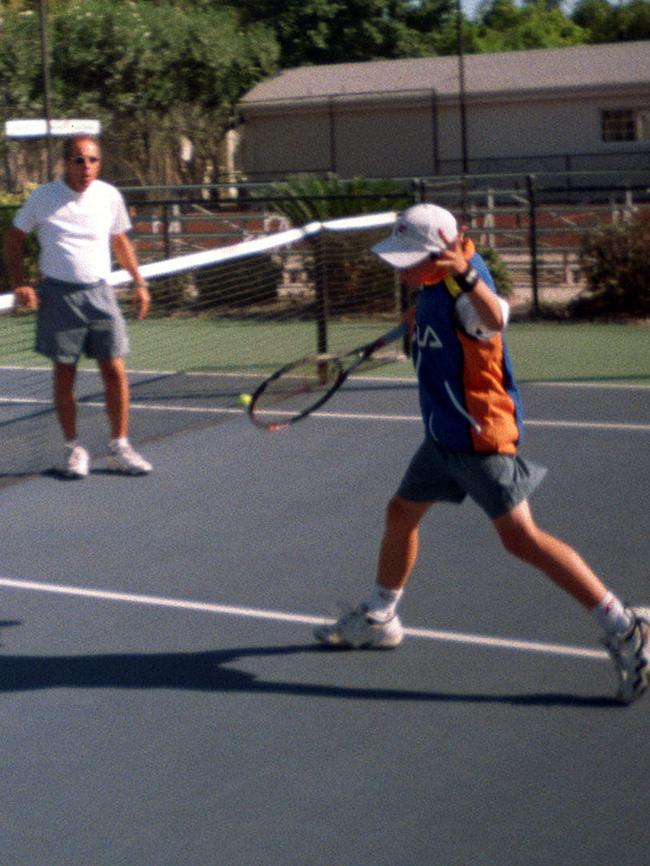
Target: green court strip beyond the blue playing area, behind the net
540, 351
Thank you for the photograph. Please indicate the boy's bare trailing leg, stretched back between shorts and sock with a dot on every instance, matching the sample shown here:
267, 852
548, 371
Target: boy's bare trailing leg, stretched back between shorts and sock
522, 537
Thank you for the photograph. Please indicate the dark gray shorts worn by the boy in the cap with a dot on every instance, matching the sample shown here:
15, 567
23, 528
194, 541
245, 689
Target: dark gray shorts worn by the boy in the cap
496, 482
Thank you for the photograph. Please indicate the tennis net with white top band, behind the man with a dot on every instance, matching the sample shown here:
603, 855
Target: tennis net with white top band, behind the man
221, 320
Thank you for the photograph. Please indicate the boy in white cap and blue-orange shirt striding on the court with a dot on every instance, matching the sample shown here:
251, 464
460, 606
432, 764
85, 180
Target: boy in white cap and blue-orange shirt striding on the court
472, 416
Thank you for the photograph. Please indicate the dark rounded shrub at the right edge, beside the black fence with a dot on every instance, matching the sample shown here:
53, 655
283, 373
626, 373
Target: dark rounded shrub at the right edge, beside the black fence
615, 260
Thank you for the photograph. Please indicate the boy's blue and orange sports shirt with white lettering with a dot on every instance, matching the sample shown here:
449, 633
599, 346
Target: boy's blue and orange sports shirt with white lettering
468, 395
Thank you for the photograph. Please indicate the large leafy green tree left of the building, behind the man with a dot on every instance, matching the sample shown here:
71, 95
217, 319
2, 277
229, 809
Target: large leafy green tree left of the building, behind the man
152, 73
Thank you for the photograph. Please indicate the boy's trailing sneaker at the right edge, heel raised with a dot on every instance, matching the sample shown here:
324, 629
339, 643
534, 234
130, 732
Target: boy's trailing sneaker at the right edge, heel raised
631, 655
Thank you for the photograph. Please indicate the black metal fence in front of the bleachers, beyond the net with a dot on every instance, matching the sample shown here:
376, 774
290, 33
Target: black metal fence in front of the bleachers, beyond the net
534, 222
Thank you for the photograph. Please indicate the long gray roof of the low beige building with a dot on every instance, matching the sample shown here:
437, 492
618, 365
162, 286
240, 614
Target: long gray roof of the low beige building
619, 65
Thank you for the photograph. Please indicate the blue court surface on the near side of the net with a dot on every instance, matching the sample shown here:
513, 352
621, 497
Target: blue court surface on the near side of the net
164, 703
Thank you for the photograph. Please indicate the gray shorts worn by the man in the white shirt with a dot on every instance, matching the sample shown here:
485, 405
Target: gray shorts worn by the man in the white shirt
79, 318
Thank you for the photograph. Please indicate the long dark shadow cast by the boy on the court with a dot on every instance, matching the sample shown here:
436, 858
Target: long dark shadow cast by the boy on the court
211, 671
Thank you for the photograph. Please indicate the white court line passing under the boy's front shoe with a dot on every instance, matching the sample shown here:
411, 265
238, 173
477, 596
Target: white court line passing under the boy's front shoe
303, 619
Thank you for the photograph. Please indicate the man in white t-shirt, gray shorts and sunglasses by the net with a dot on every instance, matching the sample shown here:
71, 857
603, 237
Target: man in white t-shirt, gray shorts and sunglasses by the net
78, 221
